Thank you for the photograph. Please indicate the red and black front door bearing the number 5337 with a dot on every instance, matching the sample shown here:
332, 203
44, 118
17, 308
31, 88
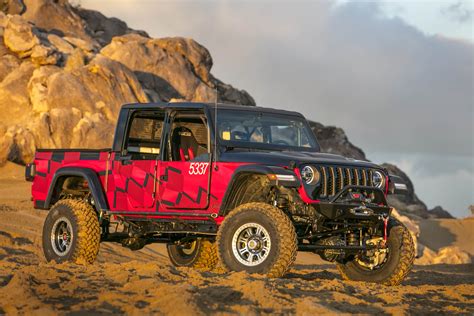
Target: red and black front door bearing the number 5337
185, 171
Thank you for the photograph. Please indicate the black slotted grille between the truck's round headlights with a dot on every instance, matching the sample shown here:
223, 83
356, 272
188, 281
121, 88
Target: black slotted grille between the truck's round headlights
334, 179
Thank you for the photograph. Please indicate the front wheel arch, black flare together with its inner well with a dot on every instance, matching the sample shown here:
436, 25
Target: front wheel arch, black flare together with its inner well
237, 186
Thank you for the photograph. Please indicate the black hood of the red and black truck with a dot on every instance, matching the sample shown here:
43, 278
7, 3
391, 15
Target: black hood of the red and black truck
285, 158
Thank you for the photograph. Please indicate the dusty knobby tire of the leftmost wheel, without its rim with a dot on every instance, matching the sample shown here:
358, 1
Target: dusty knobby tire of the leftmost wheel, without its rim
85, 229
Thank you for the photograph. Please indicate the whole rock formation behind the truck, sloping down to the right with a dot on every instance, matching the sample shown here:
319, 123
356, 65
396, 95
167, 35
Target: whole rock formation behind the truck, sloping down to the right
65, 72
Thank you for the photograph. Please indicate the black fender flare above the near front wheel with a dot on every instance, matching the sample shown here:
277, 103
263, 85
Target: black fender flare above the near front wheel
255, 169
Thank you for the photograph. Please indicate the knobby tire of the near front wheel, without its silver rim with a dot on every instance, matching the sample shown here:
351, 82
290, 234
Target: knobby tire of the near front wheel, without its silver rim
283, 249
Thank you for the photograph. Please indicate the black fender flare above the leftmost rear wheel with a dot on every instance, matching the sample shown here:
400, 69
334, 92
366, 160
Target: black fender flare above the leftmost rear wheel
86, 173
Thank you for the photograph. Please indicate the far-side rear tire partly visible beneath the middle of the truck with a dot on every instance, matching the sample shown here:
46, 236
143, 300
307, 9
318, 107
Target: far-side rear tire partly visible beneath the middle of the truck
204, 257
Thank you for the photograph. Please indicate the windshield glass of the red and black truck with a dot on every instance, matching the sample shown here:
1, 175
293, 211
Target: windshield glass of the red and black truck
252, 129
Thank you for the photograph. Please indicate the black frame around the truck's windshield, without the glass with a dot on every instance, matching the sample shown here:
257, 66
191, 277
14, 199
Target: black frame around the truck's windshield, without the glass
230, 144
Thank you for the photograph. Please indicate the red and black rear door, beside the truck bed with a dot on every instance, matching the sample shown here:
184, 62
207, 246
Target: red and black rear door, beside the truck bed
135, 169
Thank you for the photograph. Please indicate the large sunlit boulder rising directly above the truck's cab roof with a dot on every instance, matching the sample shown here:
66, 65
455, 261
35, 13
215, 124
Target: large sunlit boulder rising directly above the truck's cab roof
172, 68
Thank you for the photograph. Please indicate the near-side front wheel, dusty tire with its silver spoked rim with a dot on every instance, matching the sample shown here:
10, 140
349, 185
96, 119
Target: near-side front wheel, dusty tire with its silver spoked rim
257, 238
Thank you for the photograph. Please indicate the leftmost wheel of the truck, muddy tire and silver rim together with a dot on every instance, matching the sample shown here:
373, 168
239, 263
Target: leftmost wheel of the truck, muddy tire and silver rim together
71, 232
